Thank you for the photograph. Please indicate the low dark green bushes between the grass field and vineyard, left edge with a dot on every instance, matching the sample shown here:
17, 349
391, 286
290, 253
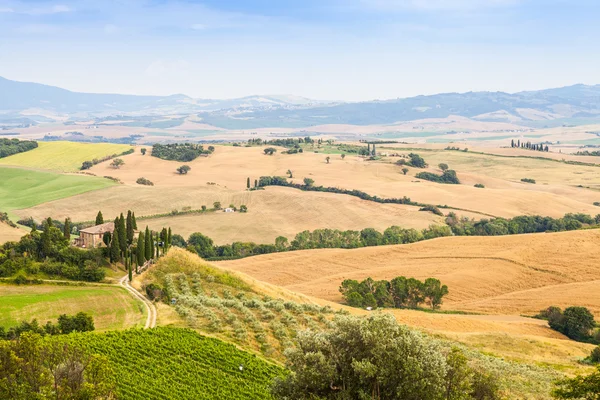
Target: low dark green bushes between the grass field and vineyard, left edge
80, 322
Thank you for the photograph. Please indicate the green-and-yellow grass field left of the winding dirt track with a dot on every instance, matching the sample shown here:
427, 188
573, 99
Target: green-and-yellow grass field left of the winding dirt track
112, 307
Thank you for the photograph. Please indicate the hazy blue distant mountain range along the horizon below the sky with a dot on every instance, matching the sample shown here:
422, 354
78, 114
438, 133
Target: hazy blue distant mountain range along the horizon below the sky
39, 103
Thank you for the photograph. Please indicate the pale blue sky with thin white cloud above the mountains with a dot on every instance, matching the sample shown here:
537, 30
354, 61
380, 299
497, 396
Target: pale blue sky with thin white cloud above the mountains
351, 50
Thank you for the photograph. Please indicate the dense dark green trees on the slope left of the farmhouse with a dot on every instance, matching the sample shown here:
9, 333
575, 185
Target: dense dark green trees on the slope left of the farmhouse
49, 251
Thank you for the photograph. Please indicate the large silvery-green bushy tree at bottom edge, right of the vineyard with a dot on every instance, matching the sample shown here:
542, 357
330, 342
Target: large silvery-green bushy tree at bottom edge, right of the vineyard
376, 358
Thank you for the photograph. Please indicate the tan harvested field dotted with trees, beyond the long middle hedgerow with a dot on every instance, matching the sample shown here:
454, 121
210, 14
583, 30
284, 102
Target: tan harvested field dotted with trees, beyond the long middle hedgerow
555, 194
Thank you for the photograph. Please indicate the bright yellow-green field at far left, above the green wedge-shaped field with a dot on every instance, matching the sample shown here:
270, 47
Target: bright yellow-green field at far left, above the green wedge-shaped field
63, 156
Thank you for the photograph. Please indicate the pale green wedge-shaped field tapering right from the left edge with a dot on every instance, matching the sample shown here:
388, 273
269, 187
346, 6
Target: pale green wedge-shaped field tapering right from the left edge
20, 188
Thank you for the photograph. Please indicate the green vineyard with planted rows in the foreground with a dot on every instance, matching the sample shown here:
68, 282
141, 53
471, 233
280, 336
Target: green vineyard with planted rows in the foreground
173, 363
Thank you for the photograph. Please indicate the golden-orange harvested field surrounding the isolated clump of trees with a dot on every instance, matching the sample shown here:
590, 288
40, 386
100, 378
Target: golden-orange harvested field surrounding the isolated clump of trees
519, 274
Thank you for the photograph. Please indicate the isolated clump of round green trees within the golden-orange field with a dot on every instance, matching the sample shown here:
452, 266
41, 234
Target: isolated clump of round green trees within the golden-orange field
400, 292
